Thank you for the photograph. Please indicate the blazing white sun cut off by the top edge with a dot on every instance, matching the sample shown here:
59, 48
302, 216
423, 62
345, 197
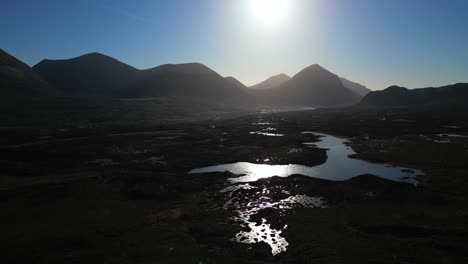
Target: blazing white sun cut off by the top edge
269, 12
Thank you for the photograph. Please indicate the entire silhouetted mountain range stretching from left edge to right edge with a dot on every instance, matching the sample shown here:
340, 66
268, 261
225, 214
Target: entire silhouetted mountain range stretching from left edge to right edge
98, 75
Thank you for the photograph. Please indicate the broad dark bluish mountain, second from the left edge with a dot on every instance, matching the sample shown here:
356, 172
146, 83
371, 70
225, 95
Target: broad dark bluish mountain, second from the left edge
92, 74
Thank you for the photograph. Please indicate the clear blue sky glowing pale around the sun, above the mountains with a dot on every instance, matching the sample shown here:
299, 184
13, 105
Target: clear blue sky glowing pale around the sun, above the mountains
414, 43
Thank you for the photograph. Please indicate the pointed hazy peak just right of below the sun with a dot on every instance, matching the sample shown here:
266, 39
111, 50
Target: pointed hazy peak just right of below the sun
315, 87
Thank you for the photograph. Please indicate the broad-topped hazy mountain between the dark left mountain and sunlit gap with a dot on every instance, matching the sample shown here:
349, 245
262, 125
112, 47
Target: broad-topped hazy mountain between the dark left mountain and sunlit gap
184, 80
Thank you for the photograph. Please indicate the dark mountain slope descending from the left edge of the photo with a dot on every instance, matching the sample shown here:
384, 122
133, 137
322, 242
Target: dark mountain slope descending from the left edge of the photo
18, 79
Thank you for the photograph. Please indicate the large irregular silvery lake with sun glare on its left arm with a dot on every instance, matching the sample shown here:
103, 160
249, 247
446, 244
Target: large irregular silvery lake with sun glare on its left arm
338, 167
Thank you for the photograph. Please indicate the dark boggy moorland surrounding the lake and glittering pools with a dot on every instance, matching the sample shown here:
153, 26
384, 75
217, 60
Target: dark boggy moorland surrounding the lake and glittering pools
123, 195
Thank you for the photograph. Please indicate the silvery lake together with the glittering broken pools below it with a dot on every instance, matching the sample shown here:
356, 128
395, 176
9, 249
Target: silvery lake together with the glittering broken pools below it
247, 205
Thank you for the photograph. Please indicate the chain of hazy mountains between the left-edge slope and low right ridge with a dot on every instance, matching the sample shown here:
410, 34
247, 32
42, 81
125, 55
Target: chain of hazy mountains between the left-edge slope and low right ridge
95, 74
